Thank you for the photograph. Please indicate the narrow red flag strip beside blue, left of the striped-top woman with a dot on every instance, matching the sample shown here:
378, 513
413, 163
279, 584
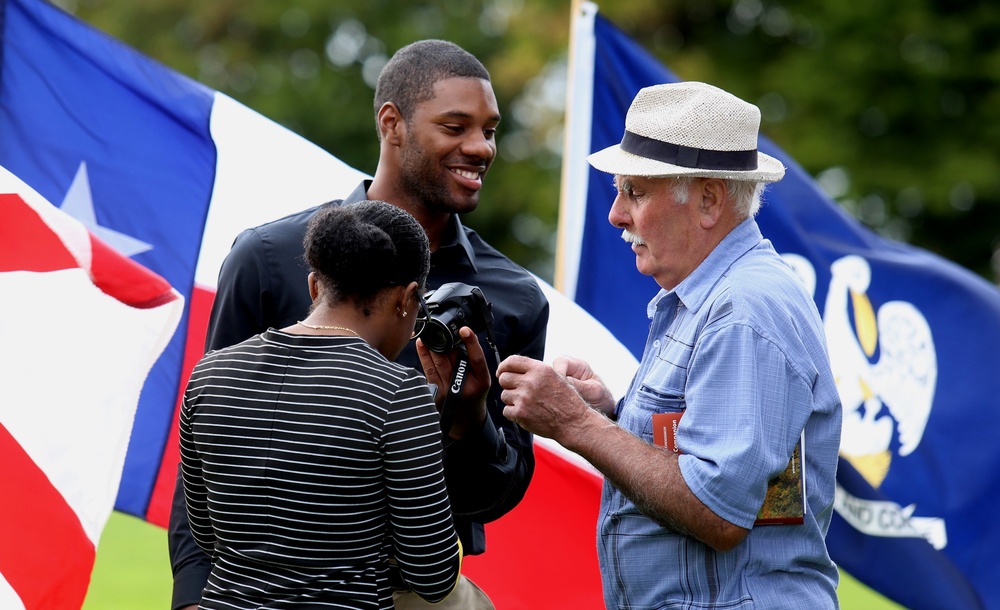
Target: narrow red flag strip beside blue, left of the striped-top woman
162, 497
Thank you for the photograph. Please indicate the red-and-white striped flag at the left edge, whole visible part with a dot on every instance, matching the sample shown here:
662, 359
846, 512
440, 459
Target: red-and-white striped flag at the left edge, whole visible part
80, 328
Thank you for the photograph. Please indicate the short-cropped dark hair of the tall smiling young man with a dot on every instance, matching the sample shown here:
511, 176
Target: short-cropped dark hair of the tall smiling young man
410, 75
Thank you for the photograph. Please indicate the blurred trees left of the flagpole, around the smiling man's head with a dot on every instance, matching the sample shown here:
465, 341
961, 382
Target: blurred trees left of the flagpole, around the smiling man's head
311, 65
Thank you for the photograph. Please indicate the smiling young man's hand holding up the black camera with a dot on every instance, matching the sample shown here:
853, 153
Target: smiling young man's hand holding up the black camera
470, 413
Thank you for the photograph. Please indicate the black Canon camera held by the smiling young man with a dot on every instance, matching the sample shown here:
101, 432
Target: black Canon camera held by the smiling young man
451, 307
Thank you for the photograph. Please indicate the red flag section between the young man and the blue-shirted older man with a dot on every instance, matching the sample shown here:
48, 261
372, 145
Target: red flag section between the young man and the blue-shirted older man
543, 554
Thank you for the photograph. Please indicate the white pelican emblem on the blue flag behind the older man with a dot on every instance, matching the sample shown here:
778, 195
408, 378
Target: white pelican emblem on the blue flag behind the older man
884, 364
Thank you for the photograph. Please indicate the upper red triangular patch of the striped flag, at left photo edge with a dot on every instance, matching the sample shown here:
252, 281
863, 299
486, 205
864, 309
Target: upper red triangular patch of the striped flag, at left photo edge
28, 242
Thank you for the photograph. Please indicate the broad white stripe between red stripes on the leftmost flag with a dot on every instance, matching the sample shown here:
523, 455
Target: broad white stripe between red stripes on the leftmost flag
71, 387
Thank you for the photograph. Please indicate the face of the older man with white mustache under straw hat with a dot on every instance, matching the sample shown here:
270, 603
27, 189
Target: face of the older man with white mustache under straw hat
668, 229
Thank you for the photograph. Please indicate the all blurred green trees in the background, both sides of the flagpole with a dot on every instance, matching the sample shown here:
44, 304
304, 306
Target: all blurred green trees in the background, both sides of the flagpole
892, 107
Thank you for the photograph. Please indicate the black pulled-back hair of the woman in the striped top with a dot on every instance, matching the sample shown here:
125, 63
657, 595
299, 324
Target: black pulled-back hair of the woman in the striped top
360, 249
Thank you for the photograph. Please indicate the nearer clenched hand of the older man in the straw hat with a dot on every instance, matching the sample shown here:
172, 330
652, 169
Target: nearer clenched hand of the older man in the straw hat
541, 399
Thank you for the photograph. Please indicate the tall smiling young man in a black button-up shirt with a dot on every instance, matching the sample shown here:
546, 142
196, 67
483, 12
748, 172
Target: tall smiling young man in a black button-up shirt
436, 115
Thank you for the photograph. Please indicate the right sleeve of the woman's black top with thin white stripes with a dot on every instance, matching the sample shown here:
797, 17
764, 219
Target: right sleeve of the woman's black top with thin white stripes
426, 546
